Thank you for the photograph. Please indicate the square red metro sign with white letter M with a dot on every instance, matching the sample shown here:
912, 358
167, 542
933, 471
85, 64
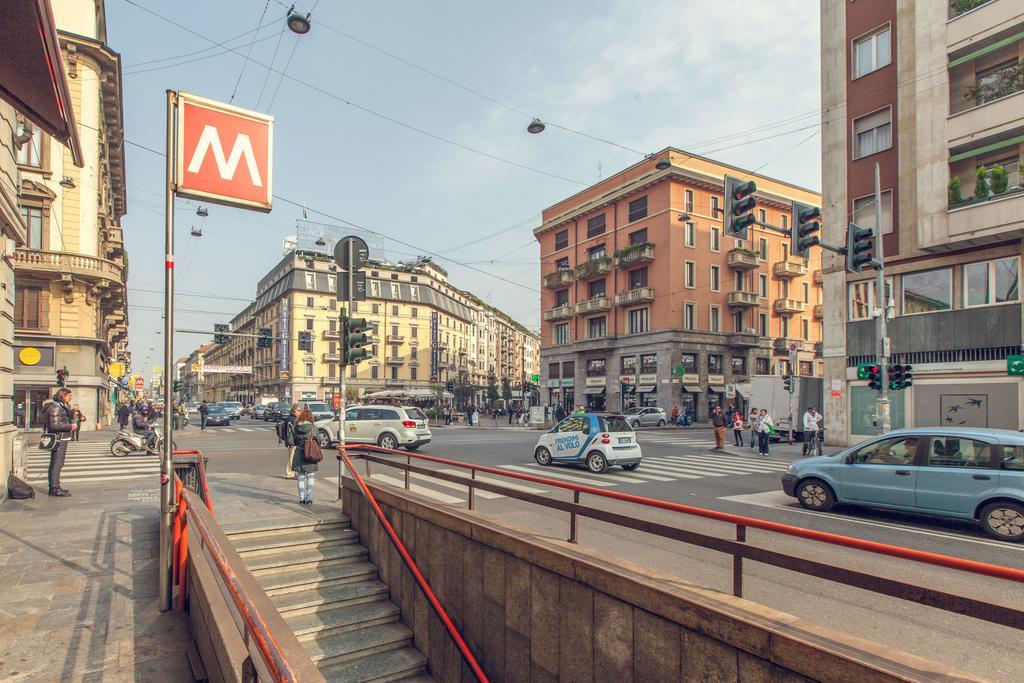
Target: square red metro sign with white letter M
225, 154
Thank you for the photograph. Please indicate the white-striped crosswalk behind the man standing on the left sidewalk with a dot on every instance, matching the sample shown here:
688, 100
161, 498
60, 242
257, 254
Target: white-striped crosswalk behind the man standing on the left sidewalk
93, 462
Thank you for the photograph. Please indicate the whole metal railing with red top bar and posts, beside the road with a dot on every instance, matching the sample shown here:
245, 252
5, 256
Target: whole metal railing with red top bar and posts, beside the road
739, 549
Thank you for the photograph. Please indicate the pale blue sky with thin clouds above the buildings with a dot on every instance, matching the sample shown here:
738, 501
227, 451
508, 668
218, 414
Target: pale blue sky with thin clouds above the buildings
409, 119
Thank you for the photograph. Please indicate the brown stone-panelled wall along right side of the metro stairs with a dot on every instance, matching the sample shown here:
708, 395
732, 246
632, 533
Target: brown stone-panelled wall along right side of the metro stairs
534, 609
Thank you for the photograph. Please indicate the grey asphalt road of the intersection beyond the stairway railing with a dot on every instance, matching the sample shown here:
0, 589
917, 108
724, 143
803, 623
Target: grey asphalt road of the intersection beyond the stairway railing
679, 466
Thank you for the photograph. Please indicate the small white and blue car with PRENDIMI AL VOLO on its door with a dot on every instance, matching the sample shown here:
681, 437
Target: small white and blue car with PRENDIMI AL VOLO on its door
592, 440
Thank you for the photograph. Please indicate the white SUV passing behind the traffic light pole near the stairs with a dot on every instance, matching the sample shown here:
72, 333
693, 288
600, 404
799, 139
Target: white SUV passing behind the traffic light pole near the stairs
388, 426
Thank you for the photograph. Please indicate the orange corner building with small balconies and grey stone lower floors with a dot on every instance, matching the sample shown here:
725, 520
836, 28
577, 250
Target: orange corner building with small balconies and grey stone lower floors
647, 303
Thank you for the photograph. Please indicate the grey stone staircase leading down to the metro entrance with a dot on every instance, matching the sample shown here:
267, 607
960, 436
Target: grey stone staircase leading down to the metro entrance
320, 579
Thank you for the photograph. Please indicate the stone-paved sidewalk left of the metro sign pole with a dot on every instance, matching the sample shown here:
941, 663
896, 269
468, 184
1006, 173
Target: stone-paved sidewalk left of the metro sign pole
78, 589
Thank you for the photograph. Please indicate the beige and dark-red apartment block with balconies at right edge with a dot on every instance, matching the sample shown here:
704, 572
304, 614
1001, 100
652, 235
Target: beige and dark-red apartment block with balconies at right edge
933, 93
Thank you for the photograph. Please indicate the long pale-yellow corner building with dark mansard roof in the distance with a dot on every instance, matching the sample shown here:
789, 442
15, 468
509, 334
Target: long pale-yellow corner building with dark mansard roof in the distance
428, 333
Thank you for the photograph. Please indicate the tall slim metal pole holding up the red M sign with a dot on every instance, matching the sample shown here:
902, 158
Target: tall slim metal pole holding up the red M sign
166, 467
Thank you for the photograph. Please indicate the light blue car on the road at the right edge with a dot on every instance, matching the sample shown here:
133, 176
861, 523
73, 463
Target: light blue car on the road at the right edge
975, 475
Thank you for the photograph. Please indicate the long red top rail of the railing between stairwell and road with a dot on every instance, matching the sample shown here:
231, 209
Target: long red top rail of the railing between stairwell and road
925, 558
